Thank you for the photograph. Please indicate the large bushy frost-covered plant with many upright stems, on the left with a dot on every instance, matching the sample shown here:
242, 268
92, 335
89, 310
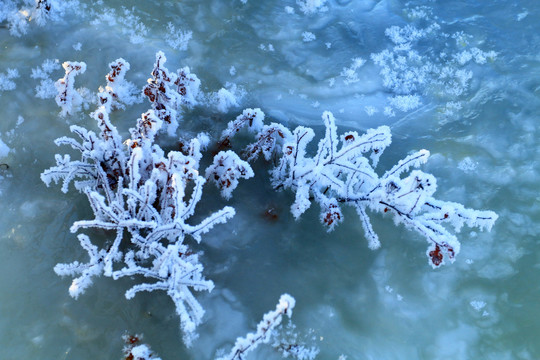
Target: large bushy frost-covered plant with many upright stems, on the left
146, 197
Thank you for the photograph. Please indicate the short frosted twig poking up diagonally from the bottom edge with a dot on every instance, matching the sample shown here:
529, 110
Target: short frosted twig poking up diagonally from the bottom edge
265, 330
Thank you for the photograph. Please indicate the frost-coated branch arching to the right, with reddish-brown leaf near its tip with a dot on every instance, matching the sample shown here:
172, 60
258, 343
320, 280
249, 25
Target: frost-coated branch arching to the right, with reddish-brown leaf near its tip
340, 174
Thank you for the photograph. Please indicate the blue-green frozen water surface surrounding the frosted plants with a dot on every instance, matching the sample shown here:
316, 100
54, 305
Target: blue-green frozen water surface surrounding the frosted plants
459, 78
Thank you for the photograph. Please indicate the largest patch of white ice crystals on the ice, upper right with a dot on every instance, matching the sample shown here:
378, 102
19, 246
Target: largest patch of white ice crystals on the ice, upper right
409, 73
